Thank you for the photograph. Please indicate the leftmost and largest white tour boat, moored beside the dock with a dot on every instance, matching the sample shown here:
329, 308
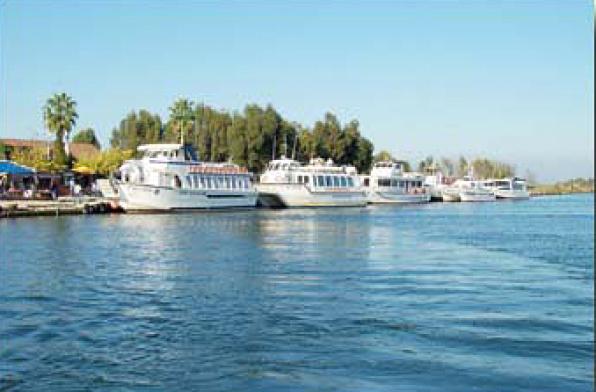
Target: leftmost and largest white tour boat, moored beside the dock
170, 177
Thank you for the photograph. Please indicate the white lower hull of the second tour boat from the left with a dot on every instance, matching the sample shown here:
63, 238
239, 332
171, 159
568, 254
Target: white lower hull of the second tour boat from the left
297, 195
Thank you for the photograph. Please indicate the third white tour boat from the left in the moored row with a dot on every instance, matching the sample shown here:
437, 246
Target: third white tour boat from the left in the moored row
388, 183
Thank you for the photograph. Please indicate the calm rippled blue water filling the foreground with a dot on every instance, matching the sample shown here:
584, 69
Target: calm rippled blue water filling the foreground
443, 297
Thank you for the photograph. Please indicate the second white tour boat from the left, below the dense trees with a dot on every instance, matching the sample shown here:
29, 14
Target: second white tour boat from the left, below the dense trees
287, 183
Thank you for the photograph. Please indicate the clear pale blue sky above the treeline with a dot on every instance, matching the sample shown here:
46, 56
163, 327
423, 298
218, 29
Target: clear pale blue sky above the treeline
512, 80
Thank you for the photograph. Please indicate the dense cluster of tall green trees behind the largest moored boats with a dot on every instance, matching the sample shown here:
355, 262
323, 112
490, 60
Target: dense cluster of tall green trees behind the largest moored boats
247, 138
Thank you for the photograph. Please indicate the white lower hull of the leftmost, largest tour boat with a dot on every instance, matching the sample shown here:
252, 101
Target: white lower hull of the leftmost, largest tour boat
153, 198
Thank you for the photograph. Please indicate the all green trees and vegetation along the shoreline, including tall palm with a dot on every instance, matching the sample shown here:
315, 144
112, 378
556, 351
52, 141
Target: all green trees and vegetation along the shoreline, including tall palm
249, 138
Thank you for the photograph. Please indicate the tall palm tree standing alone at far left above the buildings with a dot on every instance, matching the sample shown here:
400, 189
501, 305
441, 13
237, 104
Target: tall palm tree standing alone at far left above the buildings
60, 116
